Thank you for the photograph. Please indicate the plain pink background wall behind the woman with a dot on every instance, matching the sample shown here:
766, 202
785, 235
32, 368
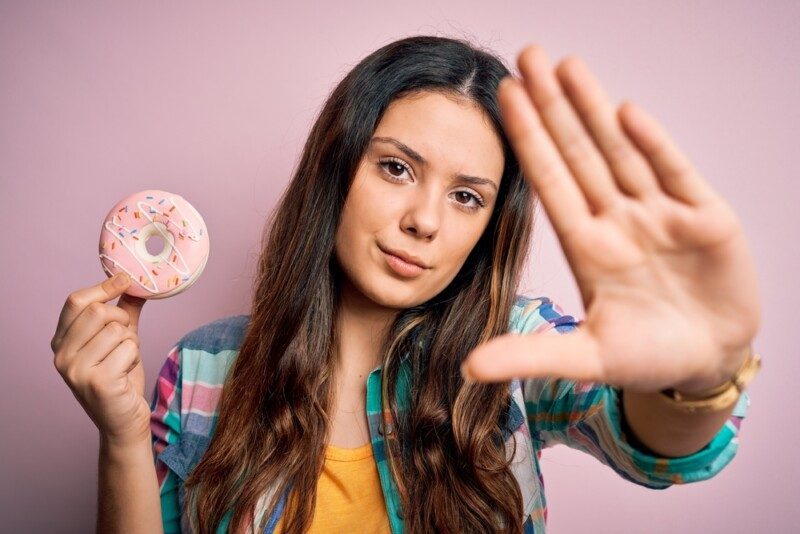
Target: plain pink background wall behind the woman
213, 103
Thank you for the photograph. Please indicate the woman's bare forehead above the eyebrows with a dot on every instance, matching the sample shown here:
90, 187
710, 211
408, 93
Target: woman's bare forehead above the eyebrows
450, 133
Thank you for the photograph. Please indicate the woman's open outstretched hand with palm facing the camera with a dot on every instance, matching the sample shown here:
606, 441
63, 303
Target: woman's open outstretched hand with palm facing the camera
661, 261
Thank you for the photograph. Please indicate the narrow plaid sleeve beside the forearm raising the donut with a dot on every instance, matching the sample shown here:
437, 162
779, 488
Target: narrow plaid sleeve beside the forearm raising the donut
165, 428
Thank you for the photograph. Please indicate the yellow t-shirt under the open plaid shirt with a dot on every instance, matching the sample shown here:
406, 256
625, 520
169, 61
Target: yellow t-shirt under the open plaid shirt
349, 496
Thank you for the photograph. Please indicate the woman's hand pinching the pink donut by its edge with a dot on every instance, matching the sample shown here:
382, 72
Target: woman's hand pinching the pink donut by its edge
96, 351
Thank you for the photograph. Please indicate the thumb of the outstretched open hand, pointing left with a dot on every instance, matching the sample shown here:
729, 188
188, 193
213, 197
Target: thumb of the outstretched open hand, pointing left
573, 356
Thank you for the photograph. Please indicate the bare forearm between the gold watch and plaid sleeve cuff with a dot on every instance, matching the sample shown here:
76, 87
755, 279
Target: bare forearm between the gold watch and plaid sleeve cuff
666, 431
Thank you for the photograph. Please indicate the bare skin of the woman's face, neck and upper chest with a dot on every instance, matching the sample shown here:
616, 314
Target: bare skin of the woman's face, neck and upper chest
425, 213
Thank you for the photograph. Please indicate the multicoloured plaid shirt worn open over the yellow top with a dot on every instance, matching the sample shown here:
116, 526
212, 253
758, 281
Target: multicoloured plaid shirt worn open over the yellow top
545, 412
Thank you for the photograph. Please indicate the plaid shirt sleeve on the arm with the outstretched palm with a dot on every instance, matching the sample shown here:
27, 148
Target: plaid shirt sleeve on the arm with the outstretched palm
587, 416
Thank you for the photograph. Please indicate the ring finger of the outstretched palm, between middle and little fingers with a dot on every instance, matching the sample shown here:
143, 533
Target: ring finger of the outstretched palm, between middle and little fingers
630, 168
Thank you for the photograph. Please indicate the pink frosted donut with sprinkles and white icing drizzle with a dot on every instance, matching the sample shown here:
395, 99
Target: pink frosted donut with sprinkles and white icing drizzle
134, 221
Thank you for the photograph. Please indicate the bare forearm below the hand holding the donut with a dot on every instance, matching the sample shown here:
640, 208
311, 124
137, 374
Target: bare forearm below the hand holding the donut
128, 496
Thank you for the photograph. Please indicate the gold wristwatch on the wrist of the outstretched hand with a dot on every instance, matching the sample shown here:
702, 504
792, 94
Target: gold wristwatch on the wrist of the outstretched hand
720, 397
